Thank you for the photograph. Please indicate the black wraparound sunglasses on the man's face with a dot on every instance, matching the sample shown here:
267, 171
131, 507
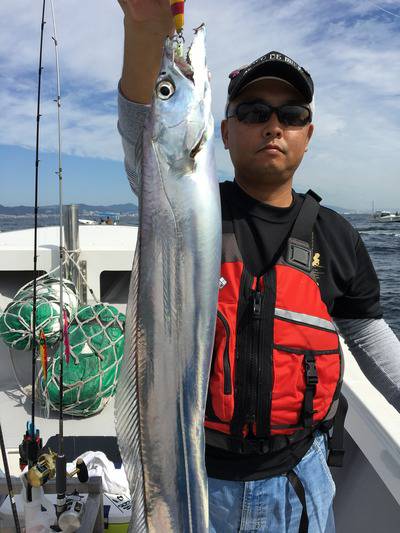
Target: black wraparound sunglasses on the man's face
258, 112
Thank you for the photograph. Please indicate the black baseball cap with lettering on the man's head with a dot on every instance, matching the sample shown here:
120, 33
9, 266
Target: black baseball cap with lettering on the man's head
272, 65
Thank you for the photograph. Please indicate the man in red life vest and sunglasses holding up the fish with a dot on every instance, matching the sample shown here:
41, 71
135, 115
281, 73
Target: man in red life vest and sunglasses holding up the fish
289, 266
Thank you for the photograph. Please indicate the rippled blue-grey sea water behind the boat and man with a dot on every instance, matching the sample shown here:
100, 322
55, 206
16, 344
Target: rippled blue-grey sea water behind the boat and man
382, 240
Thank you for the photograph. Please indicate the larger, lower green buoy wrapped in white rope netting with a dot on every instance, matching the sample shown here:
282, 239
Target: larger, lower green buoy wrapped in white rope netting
96, 338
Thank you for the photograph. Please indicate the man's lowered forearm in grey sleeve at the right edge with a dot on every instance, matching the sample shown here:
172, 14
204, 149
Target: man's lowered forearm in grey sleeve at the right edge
377, 351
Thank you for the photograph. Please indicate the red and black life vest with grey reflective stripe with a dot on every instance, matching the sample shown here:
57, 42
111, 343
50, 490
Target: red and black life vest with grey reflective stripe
277, 366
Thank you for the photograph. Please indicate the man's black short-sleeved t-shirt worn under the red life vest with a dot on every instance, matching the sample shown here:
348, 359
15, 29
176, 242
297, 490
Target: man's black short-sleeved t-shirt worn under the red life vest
346, 277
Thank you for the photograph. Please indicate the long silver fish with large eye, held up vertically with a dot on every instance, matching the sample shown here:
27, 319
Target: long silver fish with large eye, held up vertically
162, 389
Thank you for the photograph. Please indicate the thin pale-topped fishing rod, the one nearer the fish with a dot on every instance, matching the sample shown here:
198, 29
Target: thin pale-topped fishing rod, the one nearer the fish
61, 476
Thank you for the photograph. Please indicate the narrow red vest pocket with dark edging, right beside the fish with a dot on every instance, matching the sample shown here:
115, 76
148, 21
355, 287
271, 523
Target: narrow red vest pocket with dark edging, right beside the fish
220, 387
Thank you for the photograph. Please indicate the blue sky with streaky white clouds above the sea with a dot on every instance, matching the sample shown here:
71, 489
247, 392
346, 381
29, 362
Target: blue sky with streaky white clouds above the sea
350, 47
